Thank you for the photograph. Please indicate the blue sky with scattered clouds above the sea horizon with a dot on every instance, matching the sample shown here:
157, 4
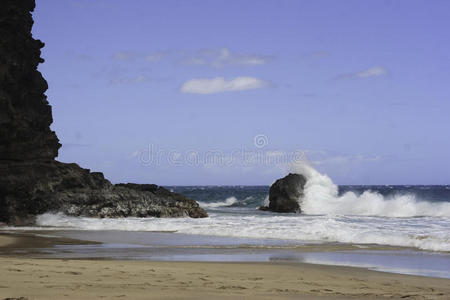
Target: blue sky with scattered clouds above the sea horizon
233, 92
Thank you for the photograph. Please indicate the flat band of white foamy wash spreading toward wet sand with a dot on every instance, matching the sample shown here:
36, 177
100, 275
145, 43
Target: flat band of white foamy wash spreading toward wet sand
428, 233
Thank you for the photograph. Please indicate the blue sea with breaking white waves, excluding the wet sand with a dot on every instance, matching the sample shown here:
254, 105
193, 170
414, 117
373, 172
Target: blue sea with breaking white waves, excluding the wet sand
415, 216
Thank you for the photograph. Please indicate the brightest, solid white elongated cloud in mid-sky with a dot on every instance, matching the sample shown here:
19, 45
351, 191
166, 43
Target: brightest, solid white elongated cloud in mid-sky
219, 85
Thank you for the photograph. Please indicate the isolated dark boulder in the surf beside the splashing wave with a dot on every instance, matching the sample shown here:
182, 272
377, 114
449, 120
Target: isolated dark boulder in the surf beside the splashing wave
286, 193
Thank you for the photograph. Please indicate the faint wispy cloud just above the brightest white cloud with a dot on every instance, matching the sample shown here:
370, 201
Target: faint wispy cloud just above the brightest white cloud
218, 58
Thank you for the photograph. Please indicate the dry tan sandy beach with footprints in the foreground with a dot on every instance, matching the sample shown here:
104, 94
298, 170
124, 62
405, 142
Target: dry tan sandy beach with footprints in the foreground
21, 276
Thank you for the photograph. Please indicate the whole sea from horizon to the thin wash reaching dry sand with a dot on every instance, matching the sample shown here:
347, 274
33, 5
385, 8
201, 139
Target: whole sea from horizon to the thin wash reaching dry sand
403, 229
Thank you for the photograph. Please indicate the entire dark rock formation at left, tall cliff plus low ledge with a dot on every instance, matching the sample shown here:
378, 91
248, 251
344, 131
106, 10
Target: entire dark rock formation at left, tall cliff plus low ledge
31, 180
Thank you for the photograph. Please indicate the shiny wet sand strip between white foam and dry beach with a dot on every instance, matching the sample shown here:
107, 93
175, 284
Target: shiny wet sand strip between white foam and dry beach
175, 247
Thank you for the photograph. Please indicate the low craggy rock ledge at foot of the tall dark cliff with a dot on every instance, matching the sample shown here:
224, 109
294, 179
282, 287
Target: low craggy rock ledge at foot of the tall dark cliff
30, 188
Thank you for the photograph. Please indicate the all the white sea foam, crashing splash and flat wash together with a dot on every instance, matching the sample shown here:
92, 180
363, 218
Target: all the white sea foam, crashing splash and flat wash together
368, 218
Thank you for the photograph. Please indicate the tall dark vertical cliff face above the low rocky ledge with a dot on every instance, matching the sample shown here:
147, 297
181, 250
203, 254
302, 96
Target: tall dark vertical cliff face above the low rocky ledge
25, 115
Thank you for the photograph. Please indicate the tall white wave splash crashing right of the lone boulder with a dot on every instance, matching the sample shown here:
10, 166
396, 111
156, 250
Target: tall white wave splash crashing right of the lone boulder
321, 197
